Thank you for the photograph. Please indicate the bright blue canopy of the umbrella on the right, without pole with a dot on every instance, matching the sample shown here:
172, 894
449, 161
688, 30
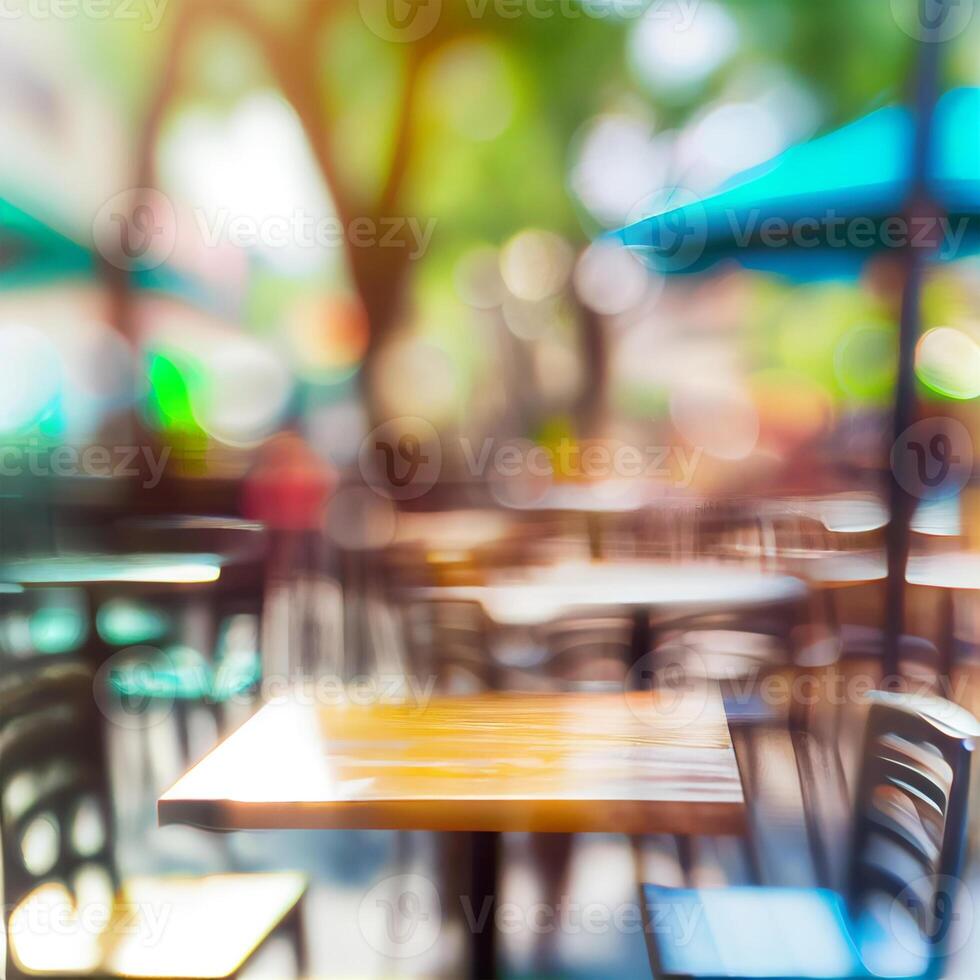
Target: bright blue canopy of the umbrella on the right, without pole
822, 208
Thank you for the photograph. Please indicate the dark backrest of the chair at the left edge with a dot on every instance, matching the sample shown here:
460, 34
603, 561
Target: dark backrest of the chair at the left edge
55, 824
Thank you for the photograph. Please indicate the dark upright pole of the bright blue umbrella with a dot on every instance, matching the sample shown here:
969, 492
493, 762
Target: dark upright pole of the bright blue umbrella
902, 503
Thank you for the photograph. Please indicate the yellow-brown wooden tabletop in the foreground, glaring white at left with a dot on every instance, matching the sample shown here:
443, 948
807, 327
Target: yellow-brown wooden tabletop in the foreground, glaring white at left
617, 763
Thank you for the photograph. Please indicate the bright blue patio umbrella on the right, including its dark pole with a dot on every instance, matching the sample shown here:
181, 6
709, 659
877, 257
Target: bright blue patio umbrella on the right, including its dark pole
894, 179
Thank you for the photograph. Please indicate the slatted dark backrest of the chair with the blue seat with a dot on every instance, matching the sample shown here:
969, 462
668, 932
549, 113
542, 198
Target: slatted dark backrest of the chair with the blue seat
911, 815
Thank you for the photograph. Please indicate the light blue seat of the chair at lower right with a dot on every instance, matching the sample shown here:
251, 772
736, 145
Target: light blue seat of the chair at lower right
785, 933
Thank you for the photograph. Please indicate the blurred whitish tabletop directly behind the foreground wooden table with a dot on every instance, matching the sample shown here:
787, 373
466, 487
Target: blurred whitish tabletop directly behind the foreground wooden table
660, 586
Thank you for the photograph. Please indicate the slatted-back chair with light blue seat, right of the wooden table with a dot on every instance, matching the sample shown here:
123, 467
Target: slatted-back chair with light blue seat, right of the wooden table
907, 849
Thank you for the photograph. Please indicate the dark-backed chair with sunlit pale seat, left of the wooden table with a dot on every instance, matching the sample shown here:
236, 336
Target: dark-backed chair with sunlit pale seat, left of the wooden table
70, 913
